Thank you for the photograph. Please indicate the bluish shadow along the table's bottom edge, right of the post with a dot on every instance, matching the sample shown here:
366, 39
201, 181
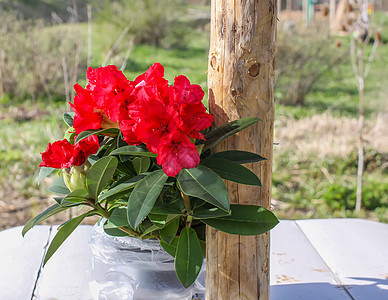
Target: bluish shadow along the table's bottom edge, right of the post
370, 288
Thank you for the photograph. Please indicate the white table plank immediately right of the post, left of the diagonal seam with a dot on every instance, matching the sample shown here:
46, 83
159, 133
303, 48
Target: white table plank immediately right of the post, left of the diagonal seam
297, 271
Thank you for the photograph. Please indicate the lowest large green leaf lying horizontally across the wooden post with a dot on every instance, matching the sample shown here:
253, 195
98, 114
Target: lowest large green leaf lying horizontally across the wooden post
245, 220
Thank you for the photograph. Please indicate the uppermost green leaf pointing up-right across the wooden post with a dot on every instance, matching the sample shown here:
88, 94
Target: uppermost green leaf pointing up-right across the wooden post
217, 135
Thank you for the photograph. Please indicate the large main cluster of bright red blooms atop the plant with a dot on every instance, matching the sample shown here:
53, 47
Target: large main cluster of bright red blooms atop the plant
147, 110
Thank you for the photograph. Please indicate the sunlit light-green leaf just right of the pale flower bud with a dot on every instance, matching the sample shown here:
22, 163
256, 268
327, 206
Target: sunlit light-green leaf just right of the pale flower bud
99, 175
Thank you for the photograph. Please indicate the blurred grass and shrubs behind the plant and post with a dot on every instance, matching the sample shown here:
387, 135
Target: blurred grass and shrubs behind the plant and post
314, 171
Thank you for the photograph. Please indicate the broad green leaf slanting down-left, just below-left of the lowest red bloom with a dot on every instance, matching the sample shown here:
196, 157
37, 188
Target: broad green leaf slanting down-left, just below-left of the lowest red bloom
144, 195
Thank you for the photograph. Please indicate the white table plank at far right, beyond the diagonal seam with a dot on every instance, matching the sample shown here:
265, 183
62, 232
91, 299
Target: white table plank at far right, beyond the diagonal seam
355, 250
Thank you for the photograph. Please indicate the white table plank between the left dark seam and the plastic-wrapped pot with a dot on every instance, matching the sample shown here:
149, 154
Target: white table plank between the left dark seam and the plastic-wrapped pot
67, 274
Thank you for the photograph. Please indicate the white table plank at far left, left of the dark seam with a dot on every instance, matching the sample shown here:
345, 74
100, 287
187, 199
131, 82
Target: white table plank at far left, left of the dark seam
20, 260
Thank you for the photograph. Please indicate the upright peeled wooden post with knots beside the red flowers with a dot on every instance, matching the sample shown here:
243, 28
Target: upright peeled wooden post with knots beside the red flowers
241, 84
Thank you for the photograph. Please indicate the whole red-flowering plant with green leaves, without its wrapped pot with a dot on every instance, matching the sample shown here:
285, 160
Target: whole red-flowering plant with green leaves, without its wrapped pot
139, 154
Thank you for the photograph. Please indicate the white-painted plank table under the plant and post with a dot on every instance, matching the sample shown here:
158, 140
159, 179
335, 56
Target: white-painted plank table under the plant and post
310, 259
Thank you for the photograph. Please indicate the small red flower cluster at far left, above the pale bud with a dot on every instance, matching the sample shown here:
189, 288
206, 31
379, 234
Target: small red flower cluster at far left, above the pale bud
62, 154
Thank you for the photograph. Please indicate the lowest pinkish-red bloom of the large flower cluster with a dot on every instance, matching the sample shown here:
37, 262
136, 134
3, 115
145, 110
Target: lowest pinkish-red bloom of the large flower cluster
175, 152
